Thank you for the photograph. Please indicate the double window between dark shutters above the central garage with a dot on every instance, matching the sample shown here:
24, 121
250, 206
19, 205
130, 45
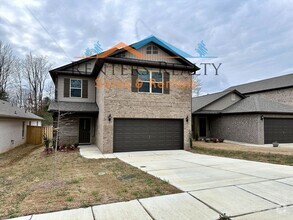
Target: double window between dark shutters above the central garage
152, 82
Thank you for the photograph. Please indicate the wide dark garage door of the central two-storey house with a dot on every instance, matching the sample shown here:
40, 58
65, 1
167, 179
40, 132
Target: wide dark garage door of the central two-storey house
147, 134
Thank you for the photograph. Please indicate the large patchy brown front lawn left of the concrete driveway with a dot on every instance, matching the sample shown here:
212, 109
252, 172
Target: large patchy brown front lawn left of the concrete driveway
27, 185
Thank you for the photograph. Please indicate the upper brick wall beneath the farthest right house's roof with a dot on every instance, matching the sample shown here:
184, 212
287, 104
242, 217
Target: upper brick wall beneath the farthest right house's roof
281, 95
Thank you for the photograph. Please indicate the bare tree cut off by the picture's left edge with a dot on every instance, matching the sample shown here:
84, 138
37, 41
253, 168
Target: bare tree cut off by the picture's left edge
6, 68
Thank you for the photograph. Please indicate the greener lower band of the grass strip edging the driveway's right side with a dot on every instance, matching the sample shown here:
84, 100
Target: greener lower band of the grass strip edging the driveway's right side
267, 157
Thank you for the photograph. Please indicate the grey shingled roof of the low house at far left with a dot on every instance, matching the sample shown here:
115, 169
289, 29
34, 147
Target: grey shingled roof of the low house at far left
7, 110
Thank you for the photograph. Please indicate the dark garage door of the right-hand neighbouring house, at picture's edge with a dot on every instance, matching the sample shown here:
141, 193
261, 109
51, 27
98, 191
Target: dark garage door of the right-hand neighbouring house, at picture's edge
278, 129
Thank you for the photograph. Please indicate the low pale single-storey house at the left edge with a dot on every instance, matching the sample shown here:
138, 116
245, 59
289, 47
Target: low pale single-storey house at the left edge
13, 123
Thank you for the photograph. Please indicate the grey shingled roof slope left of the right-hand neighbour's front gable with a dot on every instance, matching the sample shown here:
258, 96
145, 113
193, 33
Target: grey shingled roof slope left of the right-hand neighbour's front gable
202, 101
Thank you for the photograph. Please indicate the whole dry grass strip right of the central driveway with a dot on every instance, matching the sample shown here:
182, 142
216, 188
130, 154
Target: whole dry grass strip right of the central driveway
278, 155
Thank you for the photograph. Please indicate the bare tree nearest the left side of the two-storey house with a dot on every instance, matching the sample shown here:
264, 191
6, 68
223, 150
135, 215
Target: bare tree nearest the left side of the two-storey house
35, 70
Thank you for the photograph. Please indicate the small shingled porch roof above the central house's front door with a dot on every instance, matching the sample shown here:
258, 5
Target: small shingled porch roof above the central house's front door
73, 107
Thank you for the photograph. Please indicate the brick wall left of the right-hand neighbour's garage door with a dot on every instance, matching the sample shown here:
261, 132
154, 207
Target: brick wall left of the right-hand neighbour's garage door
243, 128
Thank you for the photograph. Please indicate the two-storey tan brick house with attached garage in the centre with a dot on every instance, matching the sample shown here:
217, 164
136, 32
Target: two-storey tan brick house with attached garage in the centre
95, 110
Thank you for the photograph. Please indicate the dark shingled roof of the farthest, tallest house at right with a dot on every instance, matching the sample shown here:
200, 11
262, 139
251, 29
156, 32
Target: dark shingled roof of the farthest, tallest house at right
284, 81
